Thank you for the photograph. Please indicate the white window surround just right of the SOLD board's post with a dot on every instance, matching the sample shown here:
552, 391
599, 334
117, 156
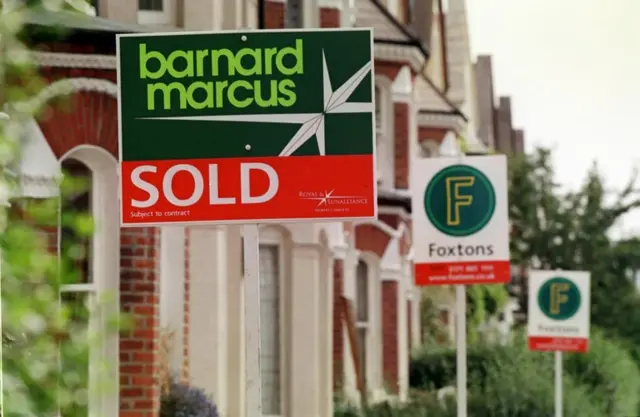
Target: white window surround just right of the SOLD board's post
273, 237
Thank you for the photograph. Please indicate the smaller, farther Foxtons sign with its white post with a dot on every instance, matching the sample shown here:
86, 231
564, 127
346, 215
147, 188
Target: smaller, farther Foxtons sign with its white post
559, 317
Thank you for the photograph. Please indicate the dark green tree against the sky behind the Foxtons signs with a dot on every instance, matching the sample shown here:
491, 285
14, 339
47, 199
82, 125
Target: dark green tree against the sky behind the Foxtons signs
571, 231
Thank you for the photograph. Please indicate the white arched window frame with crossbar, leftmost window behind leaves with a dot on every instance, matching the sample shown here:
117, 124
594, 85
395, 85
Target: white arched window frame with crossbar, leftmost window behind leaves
105, 267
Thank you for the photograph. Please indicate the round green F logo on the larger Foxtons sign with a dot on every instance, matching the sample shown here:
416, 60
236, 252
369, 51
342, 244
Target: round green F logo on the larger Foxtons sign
459, 200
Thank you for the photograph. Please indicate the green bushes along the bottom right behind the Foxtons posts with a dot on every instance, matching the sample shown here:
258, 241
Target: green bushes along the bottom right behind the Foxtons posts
512, 381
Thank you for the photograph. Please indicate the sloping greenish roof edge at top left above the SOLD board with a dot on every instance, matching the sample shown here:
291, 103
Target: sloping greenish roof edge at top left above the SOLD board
78, 21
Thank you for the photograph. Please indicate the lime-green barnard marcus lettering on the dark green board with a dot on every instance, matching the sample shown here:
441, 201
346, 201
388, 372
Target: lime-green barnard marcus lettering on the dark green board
192, 70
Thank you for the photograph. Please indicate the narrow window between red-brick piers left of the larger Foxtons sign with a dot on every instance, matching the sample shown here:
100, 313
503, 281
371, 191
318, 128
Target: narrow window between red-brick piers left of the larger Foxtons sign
362, 316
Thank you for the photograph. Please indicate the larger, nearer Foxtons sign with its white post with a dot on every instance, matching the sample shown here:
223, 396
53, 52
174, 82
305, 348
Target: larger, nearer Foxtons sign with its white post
461, 233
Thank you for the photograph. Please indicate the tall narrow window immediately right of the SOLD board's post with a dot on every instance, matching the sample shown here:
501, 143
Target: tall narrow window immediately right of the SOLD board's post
270, 335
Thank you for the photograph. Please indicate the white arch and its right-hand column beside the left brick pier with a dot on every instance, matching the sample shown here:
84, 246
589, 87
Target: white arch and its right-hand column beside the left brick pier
106, 266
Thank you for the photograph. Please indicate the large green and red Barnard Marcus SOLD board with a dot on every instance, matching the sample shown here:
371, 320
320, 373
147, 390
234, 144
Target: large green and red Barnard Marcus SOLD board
246, 127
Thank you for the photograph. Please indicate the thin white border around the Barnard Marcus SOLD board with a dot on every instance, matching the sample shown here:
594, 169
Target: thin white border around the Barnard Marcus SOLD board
248, 32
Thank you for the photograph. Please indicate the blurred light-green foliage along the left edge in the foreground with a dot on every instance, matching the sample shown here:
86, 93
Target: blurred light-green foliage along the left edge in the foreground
45, 335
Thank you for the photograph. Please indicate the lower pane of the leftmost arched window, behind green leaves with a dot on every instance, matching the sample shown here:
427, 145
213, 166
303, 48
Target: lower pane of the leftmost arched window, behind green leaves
74, 354
